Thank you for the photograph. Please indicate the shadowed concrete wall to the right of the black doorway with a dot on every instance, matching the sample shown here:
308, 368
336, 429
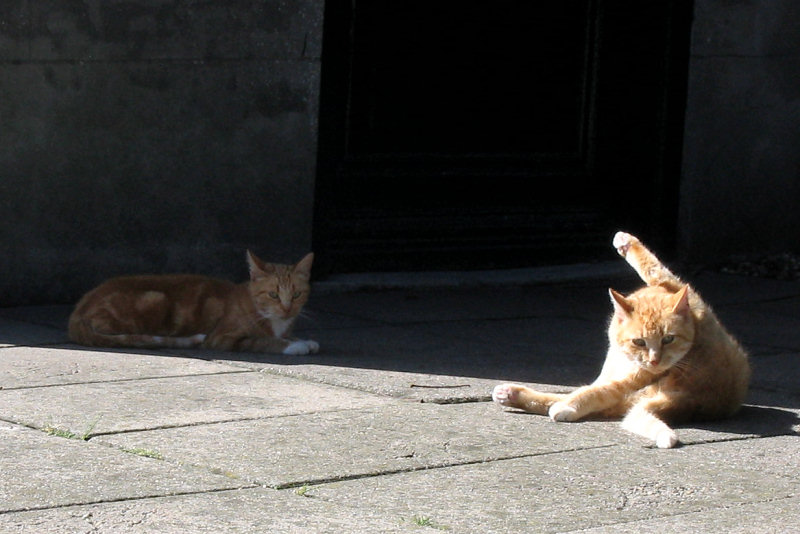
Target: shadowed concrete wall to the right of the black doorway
741, 162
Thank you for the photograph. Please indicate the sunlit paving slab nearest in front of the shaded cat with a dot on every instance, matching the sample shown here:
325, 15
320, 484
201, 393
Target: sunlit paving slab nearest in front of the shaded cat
122, 406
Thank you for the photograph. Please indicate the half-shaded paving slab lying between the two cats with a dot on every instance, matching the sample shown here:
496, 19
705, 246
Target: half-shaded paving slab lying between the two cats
455, 362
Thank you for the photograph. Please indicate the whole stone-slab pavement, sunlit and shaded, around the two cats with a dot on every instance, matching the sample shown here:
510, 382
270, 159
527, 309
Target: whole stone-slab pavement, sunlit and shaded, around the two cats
390, 428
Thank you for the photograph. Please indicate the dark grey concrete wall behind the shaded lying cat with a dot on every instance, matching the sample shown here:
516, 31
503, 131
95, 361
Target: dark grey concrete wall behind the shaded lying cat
153, 135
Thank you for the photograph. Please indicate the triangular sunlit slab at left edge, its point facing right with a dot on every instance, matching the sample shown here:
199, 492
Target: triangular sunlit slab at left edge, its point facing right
39, 471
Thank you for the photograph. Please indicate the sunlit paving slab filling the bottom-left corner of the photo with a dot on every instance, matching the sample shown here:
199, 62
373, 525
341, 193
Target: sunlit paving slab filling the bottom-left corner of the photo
243, 511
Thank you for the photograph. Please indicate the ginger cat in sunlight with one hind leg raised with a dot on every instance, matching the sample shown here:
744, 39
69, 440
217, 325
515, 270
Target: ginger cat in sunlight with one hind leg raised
669, 360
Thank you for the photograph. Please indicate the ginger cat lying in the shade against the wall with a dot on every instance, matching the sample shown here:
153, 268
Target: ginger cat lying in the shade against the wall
189, 311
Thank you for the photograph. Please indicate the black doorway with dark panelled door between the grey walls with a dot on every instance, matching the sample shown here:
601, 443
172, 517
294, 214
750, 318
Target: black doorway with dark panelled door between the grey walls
464, 134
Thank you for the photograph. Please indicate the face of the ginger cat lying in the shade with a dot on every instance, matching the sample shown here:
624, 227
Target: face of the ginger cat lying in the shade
279, 291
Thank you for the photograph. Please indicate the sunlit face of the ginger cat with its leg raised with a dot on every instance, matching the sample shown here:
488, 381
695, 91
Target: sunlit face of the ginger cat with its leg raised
653, 327
